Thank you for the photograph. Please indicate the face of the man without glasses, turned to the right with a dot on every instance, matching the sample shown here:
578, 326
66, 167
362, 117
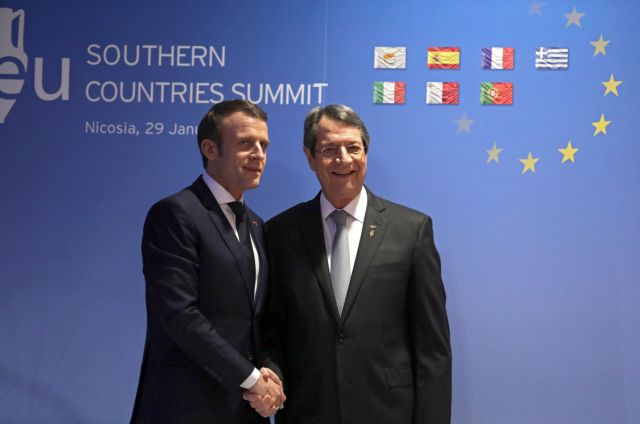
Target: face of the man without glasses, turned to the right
238, 162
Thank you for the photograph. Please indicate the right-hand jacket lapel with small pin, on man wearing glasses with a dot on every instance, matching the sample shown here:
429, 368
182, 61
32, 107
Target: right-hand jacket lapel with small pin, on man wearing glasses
373, 231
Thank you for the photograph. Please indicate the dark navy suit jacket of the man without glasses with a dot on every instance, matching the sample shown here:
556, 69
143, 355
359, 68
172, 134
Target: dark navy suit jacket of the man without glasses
202, 339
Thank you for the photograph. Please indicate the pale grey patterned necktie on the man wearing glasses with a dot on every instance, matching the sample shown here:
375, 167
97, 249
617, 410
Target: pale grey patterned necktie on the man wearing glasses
340, 264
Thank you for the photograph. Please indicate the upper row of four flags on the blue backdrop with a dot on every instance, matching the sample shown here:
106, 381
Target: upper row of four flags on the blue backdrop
449, 58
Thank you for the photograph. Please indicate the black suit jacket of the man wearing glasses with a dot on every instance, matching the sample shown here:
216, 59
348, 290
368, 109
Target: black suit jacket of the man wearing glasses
387, 359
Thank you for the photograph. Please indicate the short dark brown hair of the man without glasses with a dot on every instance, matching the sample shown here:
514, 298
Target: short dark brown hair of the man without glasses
209, 127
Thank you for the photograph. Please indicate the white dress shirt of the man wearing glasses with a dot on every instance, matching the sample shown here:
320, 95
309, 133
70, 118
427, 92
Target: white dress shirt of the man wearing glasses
356, 209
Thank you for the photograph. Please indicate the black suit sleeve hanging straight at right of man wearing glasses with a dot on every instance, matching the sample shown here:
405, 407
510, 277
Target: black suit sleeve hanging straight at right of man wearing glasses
429, 329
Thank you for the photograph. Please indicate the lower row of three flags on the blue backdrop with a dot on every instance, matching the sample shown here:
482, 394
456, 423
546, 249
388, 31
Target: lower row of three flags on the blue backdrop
440, 92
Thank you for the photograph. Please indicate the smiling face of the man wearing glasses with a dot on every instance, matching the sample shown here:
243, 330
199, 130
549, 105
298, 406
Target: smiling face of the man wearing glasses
341, 177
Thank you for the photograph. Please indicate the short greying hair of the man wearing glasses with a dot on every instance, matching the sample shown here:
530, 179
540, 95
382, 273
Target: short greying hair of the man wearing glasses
340, 113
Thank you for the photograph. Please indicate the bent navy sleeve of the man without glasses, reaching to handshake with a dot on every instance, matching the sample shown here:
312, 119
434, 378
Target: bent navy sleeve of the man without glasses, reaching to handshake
170, 256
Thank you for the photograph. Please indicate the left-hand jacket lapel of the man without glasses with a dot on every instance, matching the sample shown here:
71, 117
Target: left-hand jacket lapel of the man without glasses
221, 223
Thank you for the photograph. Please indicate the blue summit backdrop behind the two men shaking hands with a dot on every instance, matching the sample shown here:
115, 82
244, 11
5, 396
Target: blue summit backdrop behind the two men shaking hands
540, 267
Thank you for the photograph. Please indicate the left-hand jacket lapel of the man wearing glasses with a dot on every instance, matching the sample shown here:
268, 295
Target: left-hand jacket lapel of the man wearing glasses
311, 230
